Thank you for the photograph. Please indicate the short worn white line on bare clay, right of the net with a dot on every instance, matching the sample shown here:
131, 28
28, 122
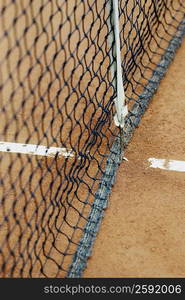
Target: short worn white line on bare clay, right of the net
167, 164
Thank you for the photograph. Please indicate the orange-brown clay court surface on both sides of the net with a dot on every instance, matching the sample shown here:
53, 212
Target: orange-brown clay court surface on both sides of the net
141, 234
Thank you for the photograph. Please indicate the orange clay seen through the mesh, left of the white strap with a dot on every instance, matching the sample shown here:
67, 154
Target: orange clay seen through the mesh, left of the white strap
45, 99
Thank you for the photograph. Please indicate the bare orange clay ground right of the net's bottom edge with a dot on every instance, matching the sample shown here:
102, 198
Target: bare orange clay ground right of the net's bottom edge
142, 233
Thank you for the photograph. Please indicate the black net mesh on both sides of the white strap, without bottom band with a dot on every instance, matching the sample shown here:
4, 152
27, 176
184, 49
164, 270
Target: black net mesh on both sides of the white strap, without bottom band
57, 105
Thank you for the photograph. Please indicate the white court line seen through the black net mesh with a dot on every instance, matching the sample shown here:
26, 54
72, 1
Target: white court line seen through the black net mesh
34, 149
